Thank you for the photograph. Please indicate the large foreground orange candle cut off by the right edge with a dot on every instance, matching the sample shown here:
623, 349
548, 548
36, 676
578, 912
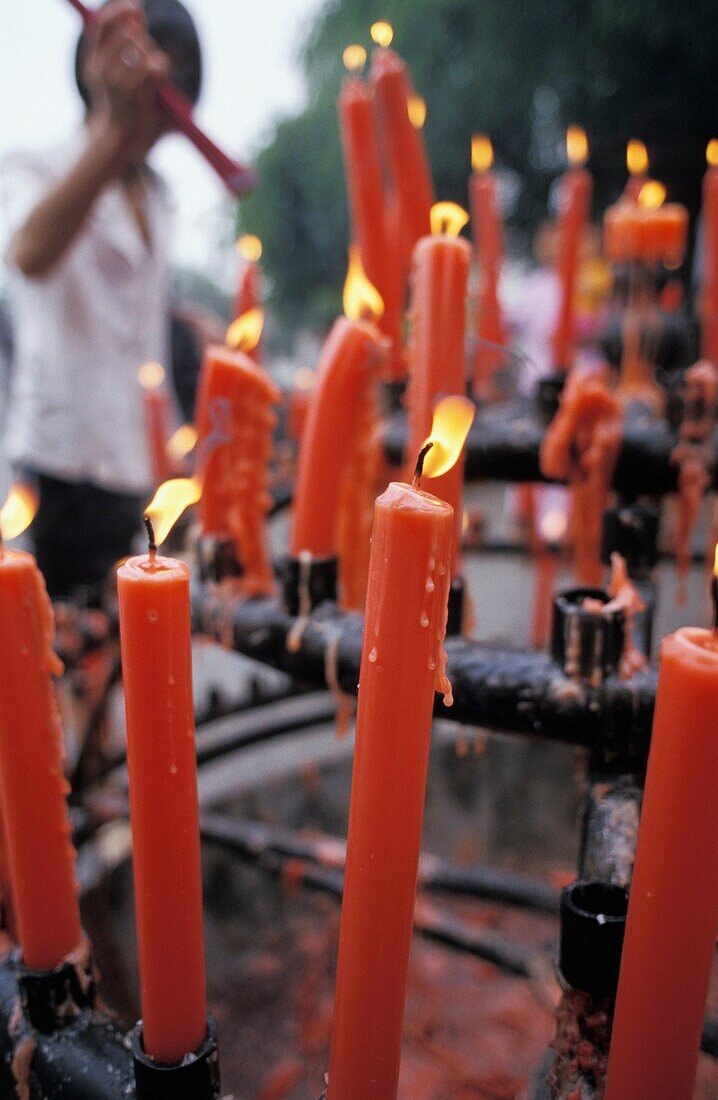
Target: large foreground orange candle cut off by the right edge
673, 909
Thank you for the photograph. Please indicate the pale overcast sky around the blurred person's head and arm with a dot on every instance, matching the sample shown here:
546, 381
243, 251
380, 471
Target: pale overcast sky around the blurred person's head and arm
251, 78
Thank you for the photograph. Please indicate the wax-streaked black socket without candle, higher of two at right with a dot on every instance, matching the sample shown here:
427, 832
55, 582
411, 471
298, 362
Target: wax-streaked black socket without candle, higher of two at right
587, 644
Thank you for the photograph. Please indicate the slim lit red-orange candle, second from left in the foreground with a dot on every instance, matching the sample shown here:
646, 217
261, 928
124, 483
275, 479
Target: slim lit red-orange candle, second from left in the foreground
153, 596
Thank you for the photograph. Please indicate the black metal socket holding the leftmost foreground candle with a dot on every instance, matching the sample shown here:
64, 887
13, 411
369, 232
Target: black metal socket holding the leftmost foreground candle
53, 999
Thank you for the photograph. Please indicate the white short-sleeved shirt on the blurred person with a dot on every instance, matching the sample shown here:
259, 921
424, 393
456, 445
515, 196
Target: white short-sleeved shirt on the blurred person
83, 332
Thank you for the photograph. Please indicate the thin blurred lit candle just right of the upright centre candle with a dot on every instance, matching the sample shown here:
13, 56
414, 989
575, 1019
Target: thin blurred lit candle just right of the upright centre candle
489, 241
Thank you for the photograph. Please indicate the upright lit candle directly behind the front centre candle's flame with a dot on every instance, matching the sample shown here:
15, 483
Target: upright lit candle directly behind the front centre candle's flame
437, 344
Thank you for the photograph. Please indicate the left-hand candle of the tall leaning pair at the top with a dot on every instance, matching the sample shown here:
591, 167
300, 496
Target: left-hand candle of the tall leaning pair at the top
368, 207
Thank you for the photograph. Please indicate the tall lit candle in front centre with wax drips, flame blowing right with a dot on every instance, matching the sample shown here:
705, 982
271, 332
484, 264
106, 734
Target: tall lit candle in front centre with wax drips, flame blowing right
403, 665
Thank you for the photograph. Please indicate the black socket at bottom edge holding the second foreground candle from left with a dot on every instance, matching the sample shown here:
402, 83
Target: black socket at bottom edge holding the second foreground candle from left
197, 1077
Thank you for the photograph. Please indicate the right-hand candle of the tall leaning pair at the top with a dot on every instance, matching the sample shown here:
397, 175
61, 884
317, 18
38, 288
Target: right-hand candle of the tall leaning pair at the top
403, 145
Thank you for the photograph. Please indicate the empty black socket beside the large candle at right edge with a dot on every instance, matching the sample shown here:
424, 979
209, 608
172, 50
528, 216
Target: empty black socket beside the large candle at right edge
593, 921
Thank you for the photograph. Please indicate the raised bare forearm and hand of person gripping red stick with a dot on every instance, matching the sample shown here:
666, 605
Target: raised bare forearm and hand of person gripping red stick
123, 70
